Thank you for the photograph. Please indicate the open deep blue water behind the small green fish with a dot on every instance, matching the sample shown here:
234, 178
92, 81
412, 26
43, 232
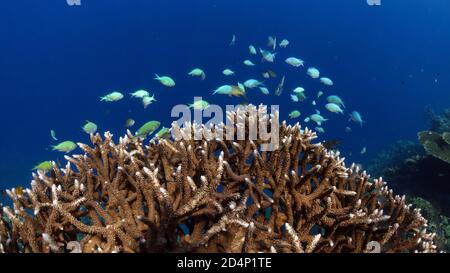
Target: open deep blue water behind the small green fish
56, 60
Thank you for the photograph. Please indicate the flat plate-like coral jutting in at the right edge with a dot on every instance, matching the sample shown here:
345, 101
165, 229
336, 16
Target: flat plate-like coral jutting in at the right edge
436, 144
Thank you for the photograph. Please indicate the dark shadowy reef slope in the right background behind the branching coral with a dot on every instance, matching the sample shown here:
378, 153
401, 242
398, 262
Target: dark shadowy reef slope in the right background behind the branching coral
421, 169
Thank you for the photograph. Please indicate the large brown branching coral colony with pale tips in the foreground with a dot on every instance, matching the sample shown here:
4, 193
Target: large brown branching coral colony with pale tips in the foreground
210, 196
